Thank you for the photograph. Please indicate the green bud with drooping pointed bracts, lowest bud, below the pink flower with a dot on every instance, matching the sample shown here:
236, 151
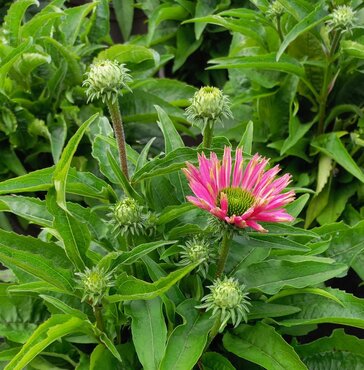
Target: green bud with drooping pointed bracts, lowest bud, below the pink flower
227, 299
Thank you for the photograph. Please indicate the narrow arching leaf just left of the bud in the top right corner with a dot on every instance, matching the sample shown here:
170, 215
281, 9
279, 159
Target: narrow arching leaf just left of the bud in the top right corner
314, 18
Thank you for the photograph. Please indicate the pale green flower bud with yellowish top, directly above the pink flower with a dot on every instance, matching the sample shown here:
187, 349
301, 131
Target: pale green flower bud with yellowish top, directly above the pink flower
208, 103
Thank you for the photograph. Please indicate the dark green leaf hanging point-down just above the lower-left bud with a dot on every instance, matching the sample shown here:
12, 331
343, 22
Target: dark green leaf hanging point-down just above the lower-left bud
75, 235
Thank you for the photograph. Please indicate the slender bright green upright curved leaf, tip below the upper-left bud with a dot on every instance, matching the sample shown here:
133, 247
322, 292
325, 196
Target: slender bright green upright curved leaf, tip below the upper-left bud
62, 167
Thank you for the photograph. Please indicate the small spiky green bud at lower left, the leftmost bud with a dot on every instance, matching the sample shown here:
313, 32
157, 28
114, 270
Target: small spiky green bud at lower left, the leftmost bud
94, 283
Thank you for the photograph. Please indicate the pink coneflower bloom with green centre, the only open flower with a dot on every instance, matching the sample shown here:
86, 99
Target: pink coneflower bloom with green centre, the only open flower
237, 195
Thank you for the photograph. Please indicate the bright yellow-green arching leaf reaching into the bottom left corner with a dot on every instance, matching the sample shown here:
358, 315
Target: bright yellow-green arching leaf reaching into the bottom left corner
53, 329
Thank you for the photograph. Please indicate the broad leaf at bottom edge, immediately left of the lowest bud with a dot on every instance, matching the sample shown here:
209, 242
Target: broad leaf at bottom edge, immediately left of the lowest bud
187, 341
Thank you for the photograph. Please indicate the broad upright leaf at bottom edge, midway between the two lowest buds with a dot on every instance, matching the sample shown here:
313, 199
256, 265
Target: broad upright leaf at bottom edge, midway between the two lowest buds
149, 332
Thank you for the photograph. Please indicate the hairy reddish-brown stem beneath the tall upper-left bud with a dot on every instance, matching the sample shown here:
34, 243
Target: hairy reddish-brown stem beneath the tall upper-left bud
119, 133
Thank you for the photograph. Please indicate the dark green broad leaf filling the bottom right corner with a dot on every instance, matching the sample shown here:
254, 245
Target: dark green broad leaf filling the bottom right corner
339, 351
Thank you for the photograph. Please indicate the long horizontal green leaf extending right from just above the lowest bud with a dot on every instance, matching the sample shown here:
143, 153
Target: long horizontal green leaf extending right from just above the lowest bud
271, 276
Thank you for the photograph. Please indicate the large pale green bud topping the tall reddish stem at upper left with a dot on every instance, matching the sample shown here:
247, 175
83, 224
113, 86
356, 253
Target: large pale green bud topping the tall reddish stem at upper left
105, 79
